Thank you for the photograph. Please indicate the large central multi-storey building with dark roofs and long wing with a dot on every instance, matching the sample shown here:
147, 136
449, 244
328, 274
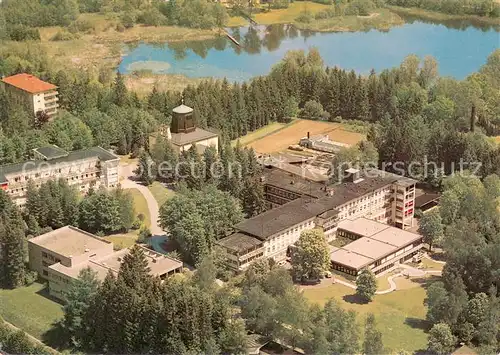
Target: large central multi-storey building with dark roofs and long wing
301, 205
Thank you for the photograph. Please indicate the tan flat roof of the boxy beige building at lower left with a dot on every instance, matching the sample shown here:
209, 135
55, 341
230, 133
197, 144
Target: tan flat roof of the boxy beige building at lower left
69, 241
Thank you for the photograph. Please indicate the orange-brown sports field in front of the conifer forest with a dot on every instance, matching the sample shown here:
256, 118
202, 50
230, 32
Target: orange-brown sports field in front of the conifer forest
283, 138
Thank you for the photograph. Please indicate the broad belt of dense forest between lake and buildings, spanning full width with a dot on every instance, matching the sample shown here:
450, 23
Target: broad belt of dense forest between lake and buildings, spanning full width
414, 114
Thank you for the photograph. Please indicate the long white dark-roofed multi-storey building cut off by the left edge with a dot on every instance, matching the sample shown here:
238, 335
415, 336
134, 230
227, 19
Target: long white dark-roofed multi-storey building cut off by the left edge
86, 168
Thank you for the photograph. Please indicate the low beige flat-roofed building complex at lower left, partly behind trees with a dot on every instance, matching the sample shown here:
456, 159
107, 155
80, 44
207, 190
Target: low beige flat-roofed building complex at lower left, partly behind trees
60, 255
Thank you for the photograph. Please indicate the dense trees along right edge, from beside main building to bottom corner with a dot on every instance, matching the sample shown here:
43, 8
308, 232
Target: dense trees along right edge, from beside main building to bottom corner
464, 305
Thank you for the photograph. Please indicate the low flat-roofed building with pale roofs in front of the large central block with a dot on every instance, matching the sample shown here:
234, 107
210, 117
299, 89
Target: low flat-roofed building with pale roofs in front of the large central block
376, 246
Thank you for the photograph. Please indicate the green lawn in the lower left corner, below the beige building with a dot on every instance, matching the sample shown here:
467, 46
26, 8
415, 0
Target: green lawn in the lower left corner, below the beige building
27, 308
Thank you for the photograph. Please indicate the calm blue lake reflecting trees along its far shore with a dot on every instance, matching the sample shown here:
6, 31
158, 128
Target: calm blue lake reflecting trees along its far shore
460, 49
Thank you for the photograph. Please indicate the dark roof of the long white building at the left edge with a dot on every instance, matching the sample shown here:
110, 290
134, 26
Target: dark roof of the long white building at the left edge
30, 165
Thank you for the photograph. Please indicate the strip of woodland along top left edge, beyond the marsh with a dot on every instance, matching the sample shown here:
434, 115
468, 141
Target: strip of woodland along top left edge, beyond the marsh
19, 19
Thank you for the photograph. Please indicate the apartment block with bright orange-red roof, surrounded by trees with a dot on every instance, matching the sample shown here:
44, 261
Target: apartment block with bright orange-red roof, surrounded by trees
36, 95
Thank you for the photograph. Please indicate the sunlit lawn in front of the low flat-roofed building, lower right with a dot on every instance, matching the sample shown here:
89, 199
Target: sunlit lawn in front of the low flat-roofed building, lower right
400, 315
